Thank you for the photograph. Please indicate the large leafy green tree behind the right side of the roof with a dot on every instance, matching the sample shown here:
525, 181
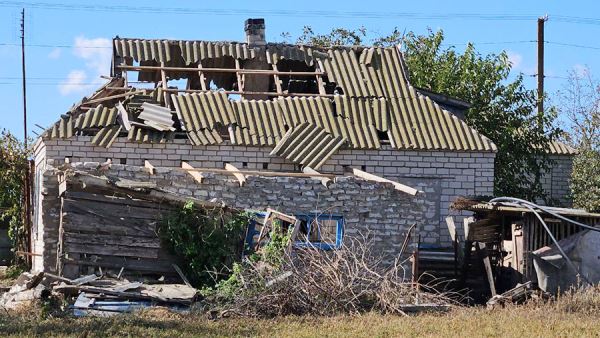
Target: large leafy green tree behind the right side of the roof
502, 110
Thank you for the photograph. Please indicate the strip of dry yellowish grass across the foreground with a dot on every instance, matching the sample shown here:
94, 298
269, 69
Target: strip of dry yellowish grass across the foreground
571, 316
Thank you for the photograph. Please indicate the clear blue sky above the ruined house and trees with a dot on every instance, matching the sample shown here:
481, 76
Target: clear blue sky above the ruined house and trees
61, 68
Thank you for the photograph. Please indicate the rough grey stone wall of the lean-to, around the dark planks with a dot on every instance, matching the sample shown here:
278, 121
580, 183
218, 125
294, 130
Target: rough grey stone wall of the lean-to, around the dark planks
368, 208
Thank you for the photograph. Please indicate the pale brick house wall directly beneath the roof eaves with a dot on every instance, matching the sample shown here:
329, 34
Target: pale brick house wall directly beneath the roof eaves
442, 175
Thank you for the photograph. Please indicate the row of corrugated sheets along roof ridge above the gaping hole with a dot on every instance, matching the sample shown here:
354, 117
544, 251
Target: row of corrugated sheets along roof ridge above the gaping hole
190, 51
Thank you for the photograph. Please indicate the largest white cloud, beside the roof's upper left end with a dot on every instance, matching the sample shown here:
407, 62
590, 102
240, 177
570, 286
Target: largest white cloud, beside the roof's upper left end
97, 54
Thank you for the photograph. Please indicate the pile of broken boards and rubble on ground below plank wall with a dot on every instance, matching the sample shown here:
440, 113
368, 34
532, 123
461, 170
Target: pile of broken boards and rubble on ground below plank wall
97, 295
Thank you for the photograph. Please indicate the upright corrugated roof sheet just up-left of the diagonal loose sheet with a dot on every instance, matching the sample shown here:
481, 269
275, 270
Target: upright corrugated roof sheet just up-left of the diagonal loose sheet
259, 122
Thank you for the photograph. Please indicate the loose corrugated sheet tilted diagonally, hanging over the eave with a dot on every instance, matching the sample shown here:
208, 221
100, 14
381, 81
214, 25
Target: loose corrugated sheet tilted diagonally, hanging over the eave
308, 145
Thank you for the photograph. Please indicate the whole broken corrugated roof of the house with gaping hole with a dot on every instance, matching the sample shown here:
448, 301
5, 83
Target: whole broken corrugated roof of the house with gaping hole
315, 100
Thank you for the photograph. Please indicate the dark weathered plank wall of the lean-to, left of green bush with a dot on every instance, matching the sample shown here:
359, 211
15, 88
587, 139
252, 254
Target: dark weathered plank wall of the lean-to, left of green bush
107, 232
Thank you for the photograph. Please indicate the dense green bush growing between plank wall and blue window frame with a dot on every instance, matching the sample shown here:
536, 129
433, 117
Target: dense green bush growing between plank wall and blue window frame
209, 241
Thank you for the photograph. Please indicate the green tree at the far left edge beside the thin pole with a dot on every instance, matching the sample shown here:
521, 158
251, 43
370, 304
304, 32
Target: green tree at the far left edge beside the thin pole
13, 167
